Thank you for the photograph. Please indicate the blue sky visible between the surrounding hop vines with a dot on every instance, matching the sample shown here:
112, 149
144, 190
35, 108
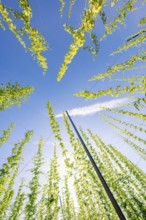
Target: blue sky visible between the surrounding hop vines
18, 65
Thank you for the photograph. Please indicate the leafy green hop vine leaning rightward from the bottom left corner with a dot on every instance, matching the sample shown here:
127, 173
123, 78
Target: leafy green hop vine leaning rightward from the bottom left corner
8, 173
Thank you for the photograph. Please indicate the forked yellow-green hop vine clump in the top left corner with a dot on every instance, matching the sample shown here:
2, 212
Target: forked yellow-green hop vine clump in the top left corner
37, 42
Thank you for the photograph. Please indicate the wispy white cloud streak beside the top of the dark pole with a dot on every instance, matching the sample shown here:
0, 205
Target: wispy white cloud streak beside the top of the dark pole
92, 109
